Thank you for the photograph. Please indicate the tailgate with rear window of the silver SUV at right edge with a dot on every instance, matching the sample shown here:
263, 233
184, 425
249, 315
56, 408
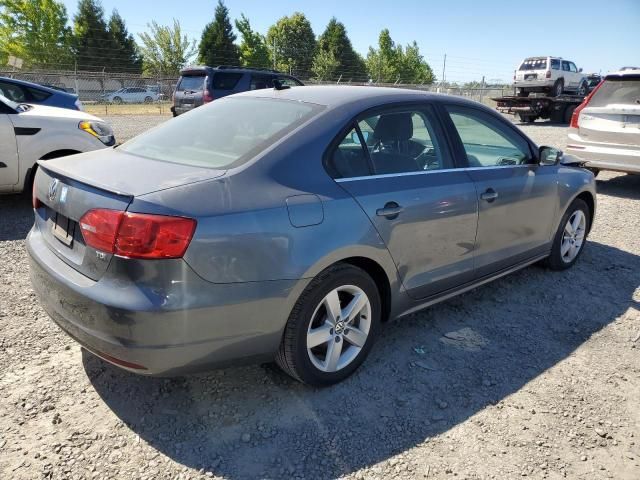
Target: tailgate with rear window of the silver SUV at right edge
613, 114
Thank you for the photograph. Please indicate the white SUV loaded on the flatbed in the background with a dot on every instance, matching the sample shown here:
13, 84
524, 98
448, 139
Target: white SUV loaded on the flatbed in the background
552, 75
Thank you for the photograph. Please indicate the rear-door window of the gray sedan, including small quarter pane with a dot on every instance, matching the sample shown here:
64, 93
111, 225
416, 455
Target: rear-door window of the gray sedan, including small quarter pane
391, 142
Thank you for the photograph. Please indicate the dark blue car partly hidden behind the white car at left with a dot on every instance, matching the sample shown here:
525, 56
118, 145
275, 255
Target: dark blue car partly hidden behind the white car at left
20, 91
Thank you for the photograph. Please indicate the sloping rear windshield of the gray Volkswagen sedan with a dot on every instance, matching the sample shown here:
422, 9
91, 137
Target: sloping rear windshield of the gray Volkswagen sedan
222, 134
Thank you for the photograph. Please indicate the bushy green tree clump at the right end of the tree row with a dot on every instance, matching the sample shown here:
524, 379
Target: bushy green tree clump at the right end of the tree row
390, 63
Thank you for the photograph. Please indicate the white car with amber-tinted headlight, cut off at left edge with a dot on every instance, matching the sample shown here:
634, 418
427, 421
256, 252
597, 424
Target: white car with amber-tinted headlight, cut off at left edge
29, 133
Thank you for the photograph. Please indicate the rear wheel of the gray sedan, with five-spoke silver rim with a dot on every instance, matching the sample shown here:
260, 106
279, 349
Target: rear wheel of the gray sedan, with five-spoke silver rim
332, 327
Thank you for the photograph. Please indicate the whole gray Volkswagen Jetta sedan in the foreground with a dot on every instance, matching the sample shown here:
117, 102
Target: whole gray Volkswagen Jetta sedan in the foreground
293, 229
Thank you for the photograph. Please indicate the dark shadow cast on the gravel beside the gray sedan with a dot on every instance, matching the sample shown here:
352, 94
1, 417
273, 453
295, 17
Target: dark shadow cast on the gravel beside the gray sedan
428, 372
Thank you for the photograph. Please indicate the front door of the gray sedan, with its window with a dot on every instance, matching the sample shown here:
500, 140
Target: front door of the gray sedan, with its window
517, 198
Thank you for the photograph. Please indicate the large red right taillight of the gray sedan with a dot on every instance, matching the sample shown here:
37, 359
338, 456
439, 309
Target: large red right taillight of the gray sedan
137, 235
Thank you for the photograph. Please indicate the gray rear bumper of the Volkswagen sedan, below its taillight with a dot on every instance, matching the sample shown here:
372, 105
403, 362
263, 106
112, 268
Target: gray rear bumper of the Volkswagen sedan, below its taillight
163, 321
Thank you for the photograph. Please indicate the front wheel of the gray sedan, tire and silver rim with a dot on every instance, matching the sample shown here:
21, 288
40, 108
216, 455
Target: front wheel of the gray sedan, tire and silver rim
571, 236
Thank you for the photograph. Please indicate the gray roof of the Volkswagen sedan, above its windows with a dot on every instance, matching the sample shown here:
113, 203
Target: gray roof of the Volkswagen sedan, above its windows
333, 96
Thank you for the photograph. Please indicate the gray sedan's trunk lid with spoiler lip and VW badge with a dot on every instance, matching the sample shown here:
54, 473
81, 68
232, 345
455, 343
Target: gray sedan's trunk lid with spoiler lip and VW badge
68, 187
